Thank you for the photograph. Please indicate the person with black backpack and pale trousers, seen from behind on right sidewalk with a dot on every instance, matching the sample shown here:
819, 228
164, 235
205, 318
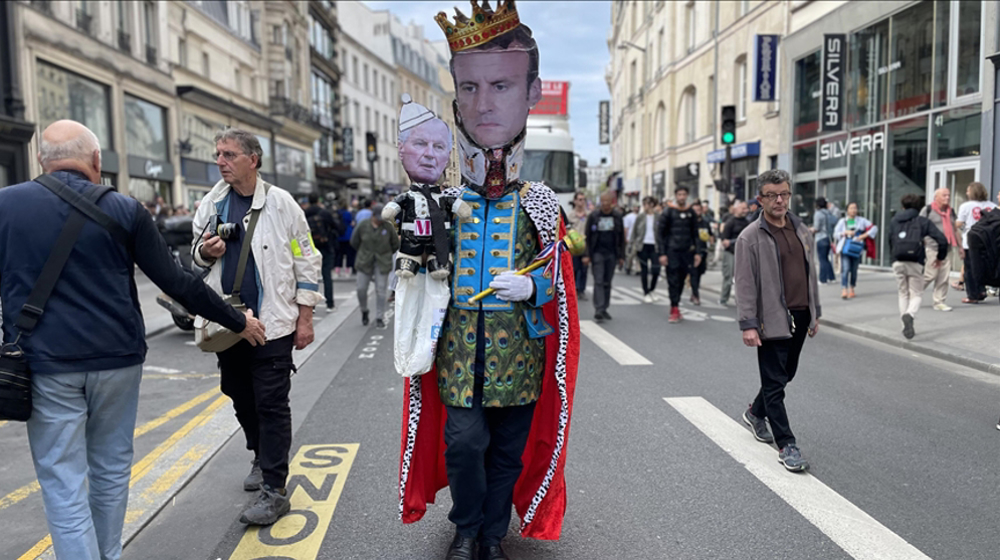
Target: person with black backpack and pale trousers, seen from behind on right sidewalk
906, 241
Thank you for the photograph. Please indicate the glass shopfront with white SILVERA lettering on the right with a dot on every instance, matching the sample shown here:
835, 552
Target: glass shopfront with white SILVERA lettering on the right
912, 111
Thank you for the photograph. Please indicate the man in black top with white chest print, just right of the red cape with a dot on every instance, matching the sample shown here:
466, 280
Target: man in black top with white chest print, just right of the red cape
605, 249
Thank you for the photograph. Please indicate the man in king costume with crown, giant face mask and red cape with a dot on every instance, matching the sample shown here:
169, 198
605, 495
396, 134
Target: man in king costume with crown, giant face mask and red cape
491, 420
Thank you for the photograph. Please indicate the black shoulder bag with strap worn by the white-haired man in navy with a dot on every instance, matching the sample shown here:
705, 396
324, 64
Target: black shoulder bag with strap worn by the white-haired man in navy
15, 375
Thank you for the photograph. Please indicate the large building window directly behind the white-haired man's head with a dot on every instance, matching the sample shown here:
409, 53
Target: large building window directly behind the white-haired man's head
65, 95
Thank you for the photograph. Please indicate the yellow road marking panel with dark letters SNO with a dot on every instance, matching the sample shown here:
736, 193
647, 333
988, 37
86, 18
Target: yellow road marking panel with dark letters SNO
316, 478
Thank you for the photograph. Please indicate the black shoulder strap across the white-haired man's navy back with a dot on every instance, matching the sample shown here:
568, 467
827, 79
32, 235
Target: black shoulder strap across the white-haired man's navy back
32, 310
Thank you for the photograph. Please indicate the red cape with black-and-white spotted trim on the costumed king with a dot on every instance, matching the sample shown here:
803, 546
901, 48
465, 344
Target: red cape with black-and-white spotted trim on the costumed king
540, 493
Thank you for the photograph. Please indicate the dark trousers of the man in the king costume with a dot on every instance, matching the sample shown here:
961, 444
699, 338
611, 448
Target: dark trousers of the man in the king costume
483, 458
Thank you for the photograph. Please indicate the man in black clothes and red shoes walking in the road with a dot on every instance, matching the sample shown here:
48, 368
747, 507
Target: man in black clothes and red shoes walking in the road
677, 232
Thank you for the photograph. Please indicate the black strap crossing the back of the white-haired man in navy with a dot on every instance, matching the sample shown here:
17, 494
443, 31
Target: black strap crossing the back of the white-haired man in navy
31, 311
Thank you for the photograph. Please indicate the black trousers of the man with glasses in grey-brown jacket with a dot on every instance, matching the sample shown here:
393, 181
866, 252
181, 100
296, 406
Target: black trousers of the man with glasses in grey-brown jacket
778, 361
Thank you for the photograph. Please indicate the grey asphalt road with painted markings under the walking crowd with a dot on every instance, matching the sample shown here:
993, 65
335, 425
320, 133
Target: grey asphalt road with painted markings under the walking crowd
907, 441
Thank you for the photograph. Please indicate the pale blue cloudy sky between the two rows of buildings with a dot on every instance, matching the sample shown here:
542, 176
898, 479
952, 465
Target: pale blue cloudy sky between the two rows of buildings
572, 44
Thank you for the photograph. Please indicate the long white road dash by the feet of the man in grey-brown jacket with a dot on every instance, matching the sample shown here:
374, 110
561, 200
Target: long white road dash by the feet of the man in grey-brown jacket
853, 530
